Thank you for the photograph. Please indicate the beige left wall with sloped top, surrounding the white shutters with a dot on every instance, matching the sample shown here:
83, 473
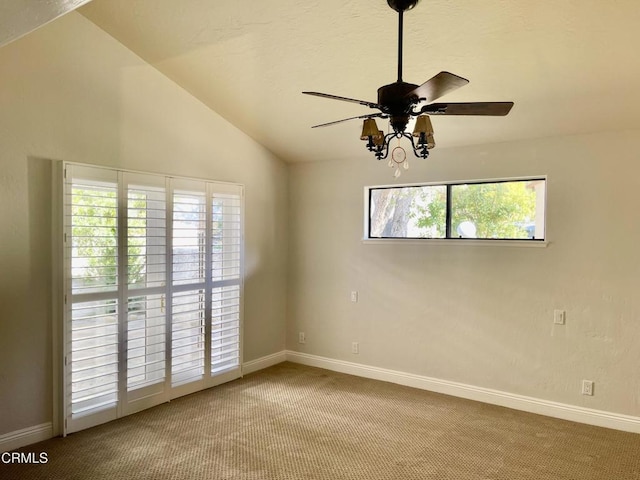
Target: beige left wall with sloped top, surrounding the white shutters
71, 92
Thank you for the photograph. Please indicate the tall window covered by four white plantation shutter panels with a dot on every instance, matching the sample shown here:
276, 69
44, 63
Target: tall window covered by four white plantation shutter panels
153, 290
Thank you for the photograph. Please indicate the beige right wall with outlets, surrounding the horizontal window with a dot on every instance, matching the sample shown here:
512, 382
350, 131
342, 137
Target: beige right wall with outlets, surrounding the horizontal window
481, 315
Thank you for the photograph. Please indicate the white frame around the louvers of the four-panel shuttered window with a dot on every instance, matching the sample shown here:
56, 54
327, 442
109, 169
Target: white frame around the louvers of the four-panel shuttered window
231, 196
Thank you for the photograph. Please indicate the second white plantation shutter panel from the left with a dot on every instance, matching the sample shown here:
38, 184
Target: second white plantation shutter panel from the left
146, 282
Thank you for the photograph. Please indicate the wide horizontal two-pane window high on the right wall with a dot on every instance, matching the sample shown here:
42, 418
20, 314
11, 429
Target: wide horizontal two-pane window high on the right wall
496, 210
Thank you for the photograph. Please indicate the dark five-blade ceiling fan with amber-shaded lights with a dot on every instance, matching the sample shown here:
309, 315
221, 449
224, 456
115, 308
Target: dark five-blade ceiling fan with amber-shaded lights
400, 101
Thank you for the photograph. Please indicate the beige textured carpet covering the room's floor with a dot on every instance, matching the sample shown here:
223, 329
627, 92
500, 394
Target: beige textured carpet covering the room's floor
296, 422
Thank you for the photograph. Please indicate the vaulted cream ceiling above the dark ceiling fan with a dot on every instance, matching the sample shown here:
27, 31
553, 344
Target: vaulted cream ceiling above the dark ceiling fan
570, 66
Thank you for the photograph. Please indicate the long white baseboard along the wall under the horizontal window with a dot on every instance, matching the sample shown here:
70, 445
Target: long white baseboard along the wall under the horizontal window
548, 408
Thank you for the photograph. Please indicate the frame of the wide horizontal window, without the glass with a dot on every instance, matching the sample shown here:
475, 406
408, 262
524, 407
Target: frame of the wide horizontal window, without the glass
449, 239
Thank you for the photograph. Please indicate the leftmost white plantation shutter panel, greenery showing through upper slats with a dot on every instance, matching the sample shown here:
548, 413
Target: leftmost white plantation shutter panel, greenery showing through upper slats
92, 304
